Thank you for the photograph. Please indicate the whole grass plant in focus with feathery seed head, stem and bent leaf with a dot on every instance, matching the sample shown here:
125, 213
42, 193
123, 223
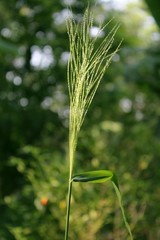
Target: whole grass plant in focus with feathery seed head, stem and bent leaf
86, 67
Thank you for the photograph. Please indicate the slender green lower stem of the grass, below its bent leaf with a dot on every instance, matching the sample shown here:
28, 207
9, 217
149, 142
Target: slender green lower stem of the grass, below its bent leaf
68, 207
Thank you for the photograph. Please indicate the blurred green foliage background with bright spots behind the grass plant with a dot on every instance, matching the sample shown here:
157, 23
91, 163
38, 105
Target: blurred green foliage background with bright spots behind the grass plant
121, 131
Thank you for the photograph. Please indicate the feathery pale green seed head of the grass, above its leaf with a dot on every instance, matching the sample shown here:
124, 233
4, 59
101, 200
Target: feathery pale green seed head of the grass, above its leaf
86, 67
